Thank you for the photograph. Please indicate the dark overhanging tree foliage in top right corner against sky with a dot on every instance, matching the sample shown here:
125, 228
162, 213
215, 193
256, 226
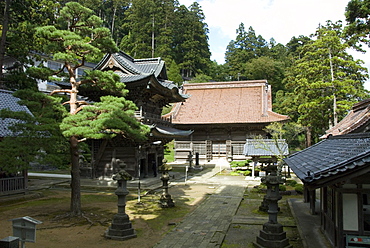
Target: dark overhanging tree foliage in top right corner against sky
358, 18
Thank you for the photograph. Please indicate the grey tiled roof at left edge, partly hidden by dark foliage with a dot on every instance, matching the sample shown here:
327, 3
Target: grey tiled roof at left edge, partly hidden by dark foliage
8, 101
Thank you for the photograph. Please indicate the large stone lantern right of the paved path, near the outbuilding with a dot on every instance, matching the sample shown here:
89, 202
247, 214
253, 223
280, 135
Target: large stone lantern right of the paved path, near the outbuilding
272, 234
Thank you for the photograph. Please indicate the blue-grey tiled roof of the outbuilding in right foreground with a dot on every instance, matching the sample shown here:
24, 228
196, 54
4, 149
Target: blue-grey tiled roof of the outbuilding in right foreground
331, 157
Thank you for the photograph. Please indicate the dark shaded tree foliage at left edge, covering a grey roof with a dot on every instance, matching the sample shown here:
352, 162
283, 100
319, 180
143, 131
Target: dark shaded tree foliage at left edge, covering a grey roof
37, 138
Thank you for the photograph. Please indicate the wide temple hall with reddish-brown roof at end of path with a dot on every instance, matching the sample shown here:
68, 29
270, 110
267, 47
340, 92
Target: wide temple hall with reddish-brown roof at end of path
223, 116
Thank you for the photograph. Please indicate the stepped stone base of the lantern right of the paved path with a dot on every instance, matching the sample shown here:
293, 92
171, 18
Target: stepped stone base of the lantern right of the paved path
272, 236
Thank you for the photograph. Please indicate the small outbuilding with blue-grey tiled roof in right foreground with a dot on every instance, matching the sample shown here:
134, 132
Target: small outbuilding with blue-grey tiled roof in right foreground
339, 167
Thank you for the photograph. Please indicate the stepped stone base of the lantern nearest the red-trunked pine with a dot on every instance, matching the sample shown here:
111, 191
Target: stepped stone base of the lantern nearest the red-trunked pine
121, 228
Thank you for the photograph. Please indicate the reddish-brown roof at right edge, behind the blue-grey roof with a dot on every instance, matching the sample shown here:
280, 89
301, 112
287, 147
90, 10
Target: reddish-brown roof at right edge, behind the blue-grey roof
355, 121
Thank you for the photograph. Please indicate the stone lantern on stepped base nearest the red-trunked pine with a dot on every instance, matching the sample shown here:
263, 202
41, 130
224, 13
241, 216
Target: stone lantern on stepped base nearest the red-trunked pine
121, 228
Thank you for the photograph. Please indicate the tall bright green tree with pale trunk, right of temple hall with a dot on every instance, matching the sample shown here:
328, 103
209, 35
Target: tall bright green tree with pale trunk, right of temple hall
325, 81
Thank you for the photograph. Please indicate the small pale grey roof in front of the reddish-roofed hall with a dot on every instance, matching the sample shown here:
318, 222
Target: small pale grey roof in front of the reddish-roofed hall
265, 147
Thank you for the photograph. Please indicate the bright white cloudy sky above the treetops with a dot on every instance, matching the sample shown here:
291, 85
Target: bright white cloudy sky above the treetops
278, 19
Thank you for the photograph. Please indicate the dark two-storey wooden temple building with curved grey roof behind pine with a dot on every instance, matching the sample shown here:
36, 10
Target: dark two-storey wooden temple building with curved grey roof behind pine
149, 89
